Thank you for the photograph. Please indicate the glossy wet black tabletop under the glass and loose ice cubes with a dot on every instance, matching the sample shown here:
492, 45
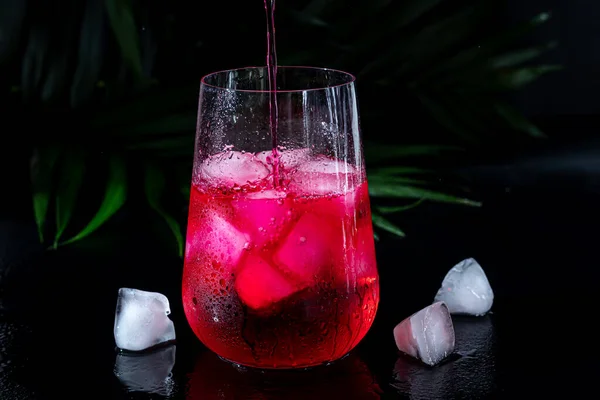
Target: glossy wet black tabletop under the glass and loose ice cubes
539, 250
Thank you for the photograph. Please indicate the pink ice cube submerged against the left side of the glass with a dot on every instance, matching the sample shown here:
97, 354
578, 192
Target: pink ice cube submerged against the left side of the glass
216, 240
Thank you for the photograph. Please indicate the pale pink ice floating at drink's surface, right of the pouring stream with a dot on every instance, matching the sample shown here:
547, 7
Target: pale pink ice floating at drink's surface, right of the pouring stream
323, 175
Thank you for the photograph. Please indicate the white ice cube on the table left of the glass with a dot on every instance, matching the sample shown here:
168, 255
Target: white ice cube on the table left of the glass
141, 320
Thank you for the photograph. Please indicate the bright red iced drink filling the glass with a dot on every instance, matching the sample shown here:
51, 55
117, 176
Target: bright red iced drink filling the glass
279, 278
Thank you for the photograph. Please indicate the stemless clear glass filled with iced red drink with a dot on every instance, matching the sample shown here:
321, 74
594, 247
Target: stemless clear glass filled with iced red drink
280, 267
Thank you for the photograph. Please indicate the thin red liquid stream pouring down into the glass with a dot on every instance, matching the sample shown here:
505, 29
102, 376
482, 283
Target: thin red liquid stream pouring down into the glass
272, 76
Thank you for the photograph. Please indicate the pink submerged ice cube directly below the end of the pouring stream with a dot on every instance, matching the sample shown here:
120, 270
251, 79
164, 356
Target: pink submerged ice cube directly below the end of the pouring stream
263, 214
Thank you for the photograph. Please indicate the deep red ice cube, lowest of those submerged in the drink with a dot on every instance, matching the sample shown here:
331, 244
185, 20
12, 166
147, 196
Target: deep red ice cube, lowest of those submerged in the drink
260, 285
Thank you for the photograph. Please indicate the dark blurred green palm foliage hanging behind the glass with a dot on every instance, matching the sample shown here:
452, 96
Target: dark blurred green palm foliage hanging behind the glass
106, 91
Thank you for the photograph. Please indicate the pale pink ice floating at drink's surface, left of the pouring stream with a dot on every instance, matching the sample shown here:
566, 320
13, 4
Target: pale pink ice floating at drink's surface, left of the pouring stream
233, 168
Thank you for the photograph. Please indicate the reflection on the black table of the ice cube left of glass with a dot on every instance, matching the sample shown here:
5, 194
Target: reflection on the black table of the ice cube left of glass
150, 373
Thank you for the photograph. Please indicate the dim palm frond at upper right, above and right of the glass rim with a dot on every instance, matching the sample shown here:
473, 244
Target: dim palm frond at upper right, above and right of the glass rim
434, 51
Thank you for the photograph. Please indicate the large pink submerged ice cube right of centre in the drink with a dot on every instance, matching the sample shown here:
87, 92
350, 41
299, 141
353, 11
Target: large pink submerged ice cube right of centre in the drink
307, 248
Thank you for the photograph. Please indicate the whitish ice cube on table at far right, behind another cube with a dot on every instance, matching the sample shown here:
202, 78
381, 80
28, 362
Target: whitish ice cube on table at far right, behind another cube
466, 289
